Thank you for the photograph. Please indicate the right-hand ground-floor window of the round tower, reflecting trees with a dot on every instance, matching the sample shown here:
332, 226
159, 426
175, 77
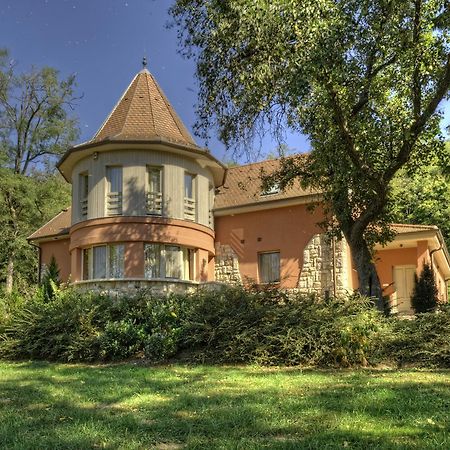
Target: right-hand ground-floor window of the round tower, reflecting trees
169, 261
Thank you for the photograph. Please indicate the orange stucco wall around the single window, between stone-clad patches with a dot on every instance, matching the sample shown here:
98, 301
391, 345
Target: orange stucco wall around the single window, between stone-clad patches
287, 230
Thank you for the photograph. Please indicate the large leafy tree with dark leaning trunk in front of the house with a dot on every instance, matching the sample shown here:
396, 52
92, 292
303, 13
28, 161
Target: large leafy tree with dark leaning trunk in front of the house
362, 78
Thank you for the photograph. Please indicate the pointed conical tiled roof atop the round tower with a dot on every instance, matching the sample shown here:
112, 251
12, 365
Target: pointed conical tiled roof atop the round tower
143, 113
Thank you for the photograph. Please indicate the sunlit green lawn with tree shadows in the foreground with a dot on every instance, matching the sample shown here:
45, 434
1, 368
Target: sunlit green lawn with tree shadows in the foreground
56, 406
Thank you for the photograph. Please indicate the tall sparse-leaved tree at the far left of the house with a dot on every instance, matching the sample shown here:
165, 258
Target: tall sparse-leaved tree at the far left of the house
35, 128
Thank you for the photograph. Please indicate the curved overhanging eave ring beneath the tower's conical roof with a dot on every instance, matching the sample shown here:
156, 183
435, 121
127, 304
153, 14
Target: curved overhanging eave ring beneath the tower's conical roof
202, 156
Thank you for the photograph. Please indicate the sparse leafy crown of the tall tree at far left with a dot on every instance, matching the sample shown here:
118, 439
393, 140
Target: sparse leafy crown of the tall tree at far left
35, 120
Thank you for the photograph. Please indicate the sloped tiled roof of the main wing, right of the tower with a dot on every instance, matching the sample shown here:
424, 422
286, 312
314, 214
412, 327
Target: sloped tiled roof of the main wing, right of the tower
243, 186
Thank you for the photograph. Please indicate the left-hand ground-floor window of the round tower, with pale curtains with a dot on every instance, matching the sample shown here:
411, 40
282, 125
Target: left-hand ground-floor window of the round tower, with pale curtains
103, 261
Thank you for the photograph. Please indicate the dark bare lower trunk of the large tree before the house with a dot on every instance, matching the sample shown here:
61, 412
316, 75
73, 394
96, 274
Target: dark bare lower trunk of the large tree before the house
369, 283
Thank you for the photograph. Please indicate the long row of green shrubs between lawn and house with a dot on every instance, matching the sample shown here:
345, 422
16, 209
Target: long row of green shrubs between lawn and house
231, 325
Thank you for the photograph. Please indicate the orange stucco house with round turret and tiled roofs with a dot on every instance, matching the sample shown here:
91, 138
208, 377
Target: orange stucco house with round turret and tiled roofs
150, 208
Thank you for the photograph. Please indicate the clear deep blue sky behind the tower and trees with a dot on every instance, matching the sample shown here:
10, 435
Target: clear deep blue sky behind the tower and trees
103, 42
